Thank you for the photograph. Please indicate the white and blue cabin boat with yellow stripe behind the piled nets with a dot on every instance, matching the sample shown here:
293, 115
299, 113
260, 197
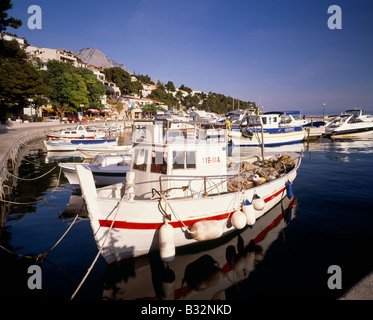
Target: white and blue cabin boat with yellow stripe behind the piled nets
265, 129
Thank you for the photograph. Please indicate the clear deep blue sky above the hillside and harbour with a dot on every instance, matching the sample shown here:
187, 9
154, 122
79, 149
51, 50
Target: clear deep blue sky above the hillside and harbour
280, 53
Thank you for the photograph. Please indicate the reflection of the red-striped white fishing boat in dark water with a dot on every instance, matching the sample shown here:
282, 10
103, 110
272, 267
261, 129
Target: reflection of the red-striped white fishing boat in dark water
206, 271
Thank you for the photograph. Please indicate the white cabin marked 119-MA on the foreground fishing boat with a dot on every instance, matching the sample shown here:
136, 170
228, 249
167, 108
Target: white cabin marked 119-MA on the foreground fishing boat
179, 161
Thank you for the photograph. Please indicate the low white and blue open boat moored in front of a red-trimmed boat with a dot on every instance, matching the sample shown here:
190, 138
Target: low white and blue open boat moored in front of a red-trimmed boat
74, 144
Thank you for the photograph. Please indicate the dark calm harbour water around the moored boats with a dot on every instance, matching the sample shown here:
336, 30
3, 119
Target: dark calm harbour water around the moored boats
285, 255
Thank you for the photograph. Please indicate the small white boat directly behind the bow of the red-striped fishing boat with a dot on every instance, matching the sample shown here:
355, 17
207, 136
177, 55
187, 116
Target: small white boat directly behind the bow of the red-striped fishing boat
106, 169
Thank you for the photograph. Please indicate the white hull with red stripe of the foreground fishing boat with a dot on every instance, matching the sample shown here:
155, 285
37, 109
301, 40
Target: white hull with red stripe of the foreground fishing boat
135, 229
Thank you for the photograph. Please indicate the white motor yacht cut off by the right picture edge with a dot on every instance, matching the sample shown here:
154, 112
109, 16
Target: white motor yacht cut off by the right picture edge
351, 124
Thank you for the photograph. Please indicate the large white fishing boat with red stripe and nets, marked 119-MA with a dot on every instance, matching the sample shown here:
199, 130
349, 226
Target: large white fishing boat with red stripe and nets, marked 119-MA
181, 190
